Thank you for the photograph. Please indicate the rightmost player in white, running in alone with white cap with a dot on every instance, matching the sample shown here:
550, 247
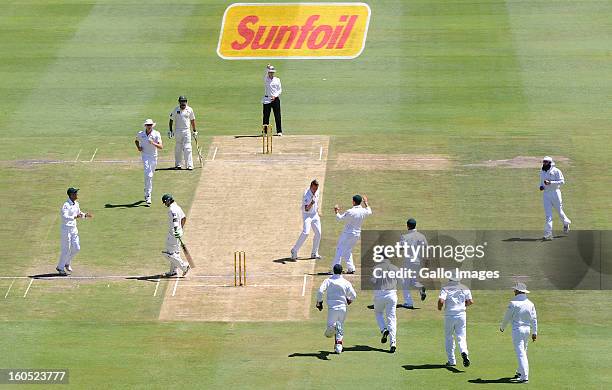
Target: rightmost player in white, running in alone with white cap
551, 179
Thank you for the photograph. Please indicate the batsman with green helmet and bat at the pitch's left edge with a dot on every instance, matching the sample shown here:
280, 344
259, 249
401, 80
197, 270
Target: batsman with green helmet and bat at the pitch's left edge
176, 221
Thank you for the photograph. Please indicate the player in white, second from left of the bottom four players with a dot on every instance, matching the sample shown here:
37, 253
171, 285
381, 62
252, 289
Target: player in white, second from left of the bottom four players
385, 302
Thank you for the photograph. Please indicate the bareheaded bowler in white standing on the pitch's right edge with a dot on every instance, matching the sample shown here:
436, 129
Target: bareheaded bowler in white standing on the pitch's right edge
311, 219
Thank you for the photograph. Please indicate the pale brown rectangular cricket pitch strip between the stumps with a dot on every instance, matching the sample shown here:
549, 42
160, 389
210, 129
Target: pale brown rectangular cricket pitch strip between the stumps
248, 201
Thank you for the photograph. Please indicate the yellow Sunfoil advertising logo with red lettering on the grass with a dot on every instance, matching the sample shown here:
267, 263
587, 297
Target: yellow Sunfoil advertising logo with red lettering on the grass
293, 30
